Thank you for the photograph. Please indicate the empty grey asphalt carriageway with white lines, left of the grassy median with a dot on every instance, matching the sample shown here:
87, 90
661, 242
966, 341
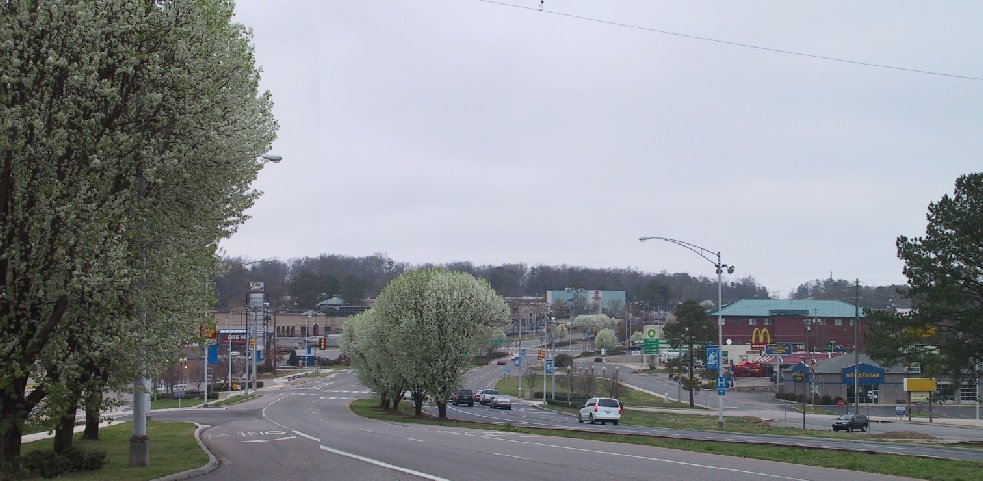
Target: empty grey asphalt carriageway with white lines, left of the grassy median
307, 432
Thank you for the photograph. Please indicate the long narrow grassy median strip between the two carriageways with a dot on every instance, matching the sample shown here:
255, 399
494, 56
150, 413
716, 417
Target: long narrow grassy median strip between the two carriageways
908, 466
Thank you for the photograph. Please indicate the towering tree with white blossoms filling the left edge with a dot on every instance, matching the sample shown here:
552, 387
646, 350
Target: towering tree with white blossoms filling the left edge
128, 138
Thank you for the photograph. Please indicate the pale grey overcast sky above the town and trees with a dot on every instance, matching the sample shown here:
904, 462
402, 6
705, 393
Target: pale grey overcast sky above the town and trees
462, 130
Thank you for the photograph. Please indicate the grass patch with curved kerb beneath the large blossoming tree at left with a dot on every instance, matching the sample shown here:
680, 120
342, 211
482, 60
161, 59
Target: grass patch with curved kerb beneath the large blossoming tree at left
173, 449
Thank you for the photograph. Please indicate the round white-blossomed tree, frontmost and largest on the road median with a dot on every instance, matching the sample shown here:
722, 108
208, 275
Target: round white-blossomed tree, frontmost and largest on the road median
443, 320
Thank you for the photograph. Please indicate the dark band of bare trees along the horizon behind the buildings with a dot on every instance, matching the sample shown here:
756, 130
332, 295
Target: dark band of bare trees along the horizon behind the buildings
302, 283
